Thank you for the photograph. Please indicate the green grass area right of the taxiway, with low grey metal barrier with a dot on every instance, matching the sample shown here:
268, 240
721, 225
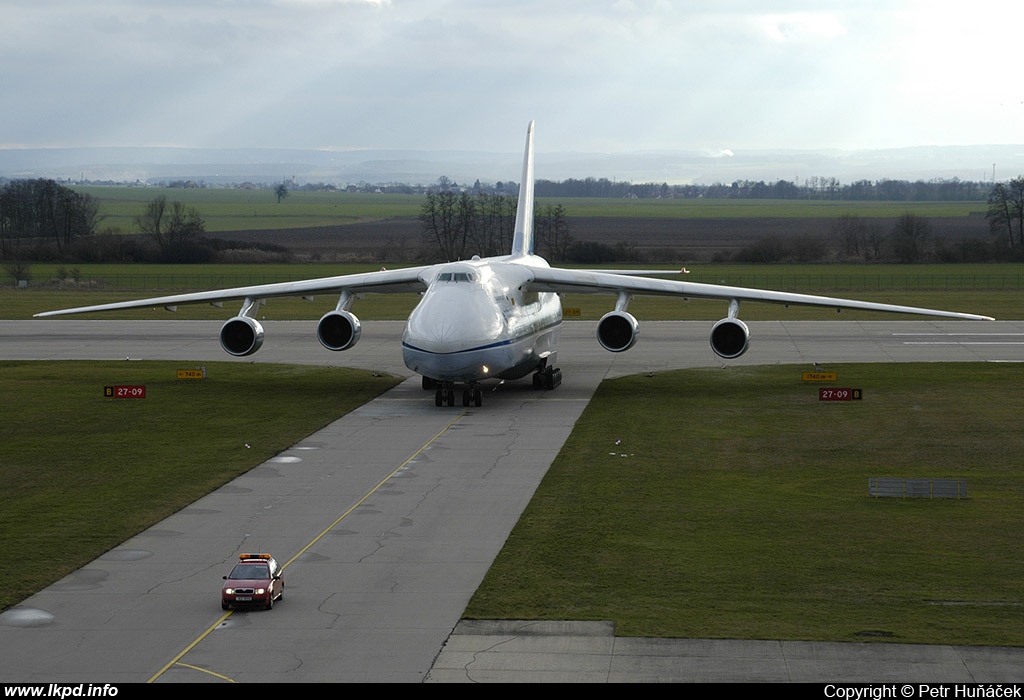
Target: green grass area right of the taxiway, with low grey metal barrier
735, 505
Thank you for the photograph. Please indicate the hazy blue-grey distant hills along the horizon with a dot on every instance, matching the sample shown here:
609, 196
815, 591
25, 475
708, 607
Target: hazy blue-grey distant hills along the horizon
216, 166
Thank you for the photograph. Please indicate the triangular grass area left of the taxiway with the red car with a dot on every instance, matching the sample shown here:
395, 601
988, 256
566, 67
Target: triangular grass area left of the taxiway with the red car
82, 473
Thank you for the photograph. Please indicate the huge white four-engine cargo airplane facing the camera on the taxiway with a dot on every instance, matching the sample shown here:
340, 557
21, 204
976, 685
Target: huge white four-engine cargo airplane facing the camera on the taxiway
493, 319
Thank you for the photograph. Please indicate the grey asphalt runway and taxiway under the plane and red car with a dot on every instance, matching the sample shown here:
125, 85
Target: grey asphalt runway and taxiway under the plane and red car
390, 518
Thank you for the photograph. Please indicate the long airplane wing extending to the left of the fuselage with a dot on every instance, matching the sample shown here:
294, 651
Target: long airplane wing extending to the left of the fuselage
406, 280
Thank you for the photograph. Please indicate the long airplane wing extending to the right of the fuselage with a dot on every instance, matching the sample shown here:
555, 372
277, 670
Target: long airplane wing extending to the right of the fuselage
588, 282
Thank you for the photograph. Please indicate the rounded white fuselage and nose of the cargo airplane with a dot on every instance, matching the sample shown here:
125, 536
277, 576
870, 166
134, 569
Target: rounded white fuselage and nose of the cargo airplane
475, 324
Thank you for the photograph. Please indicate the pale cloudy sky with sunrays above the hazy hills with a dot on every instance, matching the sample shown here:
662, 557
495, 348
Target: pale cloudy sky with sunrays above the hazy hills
599, 76
